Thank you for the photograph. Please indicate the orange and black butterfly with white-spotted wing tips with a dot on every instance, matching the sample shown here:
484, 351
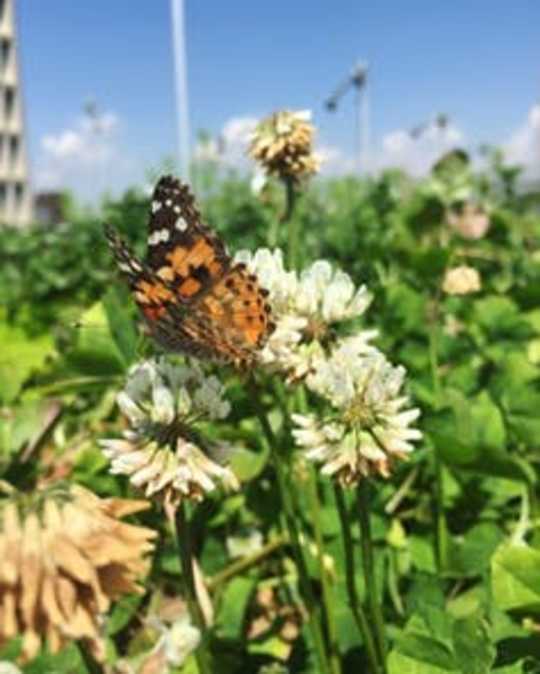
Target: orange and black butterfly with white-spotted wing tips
193, 297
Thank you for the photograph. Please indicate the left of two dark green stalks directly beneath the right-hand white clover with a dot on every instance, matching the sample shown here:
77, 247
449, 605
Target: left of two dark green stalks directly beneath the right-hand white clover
356, 607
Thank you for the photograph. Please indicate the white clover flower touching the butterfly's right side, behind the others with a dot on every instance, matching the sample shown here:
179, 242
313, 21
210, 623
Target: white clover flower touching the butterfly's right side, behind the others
304, 308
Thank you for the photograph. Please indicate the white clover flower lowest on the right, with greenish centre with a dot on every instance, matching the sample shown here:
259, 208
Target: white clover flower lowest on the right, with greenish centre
369, 427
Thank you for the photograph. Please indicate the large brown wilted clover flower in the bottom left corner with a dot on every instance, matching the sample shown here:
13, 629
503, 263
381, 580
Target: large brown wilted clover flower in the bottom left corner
65, 555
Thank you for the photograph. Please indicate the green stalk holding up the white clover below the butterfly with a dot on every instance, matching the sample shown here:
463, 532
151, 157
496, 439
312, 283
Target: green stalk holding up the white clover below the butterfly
185, 551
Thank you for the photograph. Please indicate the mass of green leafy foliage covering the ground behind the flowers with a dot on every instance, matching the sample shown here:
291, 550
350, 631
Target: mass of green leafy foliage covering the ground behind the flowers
69, 334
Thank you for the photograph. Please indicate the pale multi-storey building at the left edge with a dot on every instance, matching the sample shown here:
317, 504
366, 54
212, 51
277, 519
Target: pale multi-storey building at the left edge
16, 207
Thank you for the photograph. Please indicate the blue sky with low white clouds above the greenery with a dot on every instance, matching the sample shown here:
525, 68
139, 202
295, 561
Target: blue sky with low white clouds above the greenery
479, 62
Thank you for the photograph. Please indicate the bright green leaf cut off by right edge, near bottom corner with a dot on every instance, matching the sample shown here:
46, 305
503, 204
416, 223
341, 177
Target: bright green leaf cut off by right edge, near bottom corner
515, 583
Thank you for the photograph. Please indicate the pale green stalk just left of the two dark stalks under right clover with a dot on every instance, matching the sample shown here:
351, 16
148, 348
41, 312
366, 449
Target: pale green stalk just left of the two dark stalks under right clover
327, 594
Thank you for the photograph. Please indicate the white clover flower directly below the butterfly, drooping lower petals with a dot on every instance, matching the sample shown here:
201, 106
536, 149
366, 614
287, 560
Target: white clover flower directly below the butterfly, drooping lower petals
162, 450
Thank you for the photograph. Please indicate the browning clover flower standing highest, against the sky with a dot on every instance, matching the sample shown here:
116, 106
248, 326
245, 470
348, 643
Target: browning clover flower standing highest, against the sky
283, 145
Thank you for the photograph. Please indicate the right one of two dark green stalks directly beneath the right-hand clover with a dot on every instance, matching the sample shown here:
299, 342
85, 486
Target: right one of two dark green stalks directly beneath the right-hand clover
369, 569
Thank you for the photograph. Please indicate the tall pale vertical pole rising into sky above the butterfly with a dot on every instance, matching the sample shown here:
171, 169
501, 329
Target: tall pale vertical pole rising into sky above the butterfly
180, 72
